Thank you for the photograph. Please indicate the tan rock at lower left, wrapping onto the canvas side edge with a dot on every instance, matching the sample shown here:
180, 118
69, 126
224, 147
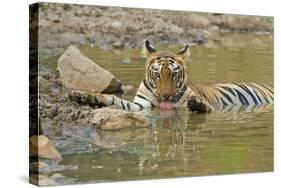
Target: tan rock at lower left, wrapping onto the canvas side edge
42, 147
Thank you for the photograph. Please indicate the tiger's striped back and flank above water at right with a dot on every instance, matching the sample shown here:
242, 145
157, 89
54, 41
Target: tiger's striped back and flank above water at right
245, 93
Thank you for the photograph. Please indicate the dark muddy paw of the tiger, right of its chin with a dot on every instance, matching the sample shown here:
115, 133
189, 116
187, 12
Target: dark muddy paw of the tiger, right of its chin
197, 104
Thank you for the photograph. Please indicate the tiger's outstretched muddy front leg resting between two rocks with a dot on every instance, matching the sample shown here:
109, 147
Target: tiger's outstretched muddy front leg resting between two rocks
102, 100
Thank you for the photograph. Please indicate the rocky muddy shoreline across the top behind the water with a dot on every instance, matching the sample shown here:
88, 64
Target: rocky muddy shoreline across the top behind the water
61, 25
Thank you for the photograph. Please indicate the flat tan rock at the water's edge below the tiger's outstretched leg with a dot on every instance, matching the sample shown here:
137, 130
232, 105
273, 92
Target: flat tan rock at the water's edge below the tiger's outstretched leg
115, 119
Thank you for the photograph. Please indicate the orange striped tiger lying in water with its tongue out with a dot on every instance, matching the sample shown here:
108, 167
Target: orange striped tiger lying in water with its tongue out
167, 85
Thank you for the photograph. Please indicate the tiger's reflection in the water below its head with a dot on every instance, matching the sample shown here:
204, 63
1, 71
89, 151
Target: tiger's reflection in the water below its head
168, 132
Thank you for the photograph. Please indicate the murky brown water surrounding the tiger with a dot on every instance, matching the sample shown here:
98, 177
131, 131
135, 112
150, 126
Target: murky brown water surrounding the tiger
180, 143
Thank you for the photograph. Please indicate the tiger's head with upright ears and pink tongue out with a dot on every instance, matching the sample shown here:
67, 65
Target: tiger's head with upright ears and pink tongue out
165, 72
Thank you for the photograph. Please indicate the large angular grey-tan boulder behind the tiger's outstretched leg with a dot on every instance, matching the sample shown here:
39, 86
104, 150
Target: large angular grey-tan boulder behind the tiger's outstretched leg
78, 72
